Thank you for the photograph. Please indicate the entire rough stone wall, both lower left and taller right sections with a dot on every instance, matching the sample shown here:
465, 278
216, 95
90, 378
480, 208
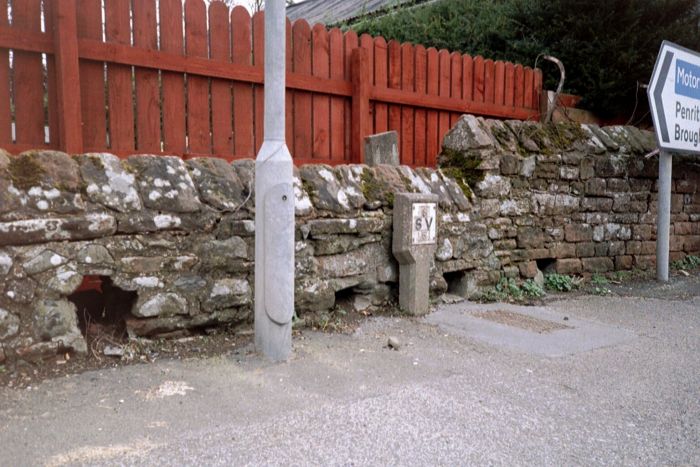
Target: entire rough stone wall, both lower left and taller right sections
169, 243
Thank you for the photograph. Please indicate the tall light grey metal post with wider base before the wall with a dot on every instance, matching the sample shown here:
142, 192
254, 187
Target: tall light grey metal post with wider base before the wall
274, 203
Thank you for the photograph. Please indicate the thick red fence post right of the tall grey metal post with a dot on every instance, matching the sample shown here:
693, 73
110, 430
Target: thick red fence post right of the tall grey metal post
361, 118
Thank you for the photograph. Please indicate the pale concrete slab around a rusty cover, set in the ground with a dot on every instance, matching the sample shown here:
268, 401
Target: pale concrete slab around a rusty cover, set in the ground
533, 330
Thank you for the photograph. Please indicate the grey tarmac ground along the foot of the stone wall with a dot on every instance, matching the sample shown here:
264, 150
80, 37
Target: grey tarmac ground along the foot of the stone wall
451, 395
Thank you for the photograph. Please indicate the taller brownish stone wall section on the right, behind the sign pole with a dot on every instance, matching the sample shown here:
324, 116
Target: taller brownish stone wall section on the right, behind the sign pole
568, 198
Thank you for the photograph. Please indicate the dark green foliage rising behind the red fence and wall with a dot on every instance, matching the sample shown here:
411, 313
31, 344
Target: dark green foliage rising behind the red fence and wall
606, 45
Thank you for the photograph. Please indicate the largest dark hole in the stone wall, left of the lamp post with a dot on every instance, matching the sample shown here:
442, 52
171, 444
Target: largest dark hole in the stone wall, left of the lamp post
103, 309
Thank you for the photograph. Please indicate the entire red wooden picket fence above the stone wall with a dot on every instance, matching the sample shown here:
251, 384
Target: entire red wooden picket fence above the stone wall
160, 77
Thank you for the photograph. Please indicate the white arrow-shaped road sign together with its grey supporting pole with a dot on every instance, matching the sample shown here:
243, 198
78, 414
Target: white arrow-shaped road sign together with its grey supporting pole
674, 99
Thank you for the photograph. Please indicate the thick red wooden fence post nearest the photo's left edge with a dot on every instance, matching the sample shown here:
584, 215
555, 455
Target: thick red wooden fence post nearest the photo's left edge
65, 35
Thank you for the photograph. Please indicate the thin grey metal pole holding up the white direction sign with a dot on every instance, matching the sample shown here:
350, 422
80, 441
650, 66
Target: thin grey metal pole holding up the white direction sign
663, 216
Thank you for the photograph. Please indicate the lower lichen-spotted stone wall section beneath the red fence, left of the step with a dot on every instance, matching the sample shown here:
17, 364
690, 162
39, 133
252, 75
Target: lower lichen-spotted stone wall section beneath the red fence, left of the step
170, 243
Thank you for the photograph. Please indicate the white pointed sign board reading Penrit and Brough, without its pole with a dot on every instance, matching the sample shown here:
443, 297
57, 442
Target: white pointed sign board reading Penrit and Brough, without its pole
674, 98
